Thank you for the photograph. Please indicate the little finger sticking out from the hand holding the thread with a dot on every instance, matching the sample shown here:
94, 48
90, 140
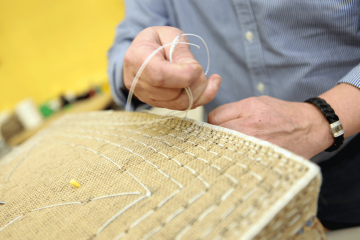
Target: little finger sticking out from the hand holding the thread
212, 87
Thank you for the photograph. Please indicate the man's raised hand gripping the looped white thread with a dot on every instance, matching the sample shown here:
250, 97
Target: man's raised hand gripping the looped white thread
161, 83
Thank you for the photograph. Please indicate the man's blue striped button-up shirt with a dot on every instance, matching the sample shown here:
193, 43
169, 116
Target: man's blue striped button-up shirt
290, 50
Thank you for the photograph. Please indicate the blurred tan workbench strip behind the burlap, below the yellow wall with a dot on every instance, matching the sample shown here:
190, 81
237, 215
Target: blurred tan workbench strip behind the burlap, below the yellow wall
96, 103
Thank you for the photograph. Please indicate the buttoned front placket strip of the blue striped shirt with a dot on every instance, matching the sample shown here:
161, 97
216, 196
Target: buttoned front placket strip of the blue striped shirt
253, 48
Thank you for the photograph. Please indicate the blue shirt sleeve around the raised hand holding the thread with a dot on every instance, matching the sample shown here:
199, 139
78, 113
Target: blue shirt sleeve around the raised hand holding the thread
140, 14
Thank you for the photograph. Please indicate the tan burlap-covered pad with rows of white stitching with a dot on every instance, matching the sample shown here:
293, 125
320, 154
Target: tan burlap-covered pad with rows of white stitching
145, 178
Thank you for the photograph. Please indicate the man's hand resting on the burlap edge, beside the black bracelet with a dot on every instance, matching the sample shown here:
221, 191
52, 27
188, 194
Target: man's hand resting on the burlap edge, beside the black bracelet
298, 127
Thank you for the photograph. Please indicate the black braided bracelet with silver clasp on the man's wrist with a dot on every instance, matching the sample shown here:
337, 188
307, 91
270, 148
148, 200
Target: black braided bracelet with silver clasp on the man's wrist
335, 125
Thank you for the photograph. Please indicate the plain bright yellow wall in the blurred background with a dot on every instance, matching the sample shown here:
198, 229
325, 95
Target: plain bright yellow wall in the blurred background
48, 47
